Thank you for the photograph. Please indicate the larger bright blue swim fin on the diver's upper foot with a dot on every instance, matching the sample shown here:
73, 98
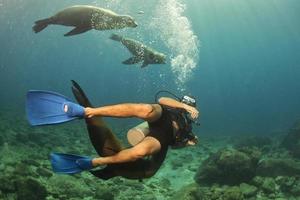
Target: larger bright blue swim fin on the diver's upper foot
46, 107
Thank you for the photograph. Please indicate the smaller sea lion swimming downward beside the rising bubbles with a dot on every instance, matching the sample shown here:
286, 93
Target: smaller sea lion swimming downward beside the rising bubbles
140, 52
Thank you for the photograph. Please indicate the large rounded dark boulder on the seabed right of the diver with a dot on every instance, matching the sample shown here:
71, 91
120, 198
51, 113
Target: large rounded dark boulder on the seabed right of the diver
228, 166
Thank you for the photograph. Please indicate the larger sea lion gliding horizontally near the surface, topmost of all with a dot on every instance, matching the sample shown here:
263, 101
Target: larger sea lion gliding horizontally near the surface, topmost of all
85, 18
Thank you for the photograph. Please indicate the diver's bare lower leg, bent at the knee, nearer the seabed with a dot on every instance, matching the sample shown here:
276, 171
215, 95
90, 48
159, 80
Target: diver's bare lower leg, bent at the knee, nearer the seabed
147, 147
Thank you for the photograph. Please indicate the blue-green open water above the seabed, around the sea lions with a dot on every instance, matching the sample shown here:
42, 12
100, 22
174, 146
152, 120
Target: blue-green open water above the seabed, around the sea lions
246, 77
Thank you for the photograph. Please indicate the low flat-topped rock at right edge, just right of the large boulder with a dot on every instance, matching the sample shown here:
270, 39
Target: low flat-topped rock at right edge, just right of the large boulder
278, 167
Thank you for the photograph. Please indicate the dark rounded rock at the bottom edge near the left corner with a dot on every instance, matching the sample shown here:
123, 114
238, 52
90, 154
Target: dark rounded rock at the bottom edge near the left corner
30, 189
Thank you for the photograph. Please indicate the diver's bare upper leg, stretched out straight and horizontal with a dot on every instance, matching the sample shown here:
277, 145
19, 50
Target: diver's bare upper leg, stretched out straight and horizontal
148, 112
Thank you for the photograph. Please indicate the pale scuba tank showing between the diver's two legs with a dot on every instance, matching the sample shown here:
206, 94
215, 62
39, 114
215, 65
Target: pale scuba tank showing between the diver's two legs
136, 134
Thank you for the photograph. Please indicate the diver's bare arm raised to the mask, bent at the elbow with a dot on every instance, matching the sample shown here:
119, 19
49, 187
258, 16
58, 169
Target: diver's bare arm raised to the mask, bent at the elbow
176, 104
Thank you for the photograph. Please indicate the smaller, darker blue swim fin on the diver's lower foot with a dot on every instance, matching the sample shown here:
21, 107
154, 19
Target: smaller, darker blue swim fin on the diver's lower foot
69, 163
